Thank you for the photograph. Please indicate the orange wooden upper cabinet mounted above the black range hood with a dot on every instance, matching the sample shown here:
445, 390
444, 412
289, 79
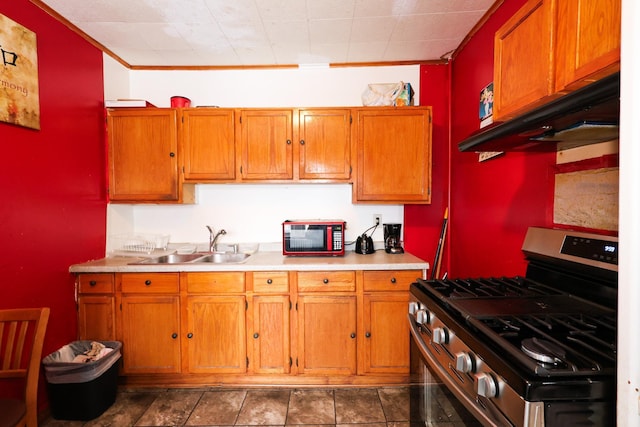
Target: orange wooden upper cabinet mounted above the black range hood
550, 47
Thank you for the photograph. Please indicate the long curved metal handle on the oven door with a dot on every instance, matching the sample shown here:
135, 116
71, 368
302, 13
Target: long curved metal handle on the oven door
489, 416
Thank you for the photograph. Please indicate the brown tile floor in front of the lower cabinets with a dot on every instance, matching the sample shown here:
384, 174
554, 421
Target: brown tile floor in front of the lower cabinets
368, 407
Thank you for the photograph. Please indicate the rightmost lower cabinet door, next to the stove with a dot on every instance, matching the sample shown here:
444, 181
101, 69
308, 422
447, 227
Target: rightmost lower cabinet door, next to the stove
386, 333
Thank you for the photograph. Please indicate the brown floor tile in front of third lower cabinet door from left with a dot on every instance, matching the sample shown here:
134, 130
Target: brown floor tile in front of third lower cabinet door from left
220, 408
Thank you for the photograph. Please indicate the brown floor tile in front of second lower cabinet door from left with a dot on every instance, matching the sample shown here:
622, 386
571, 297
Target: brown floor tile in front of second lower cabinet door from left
170, 409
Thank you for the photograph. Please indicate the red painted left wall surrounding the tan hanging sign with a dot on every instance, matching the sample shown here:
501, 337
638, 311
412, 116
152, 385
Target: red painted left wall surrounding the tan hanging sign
53, 210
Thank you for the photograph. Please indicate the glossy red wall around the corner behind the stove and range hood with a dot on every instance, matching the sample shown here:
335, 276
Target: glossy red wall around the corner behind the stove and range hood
491, 203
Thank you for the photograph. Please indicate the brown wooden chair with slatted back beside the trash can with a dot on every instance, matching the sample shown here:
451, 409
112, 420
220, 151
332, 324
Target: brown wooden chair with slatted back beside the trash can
21, 337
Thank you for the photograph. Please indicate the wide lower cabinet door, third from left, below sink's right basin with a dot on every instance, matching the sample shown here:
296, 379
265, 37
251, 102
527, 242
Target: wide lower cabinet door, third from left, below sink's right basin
215, 335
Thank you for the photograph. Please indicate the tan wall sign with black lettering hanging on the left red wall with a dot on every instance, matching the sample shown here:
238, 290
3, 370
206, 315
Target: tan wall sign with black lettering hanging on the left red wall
19, 96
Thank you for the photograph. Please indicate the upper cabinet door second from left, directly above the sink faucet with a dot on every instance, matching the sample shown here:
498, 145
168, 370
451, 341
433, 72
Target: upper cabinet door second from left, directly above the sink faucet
208, 141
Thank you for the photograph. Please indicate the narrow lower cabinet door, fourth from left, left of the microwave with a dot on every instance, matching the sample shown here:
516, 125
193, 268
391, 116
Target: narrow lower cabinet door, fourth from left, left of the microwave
269, 335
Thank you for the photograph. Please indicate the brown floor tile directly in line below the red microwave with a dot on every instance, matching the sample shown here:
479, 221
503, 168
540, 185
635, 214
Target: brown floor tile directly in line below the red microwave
312, 406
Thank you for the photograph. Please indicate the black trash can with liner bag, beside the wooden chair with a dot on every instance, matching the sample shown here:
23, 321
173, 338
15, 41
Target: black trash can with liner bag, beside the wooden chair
81, 391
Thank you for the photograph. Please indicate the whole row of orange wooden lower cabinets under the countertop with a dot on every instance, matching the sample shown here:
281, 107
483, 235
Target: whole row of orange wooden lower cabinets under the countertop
272, 327
